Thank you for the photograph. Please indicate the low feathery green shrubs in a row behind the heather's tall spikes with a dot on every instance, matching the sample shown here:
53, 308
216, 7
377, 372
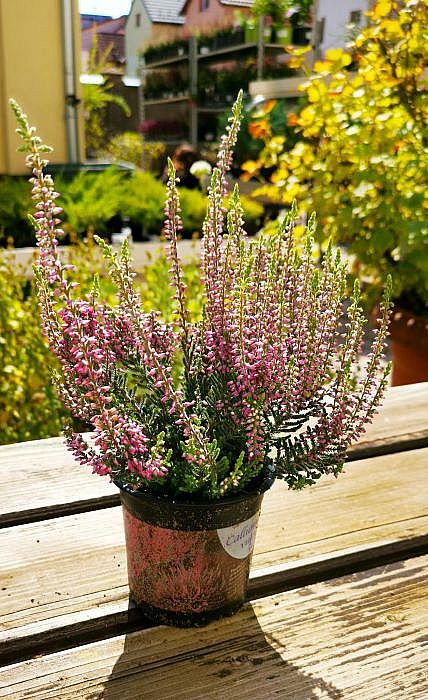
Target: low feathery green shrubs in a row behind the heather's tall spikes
101, 201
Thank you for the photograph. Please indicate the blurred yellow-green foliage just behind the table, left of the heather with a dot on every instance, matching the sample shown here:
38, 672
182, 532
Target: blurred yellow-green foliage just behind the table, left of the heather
29, 406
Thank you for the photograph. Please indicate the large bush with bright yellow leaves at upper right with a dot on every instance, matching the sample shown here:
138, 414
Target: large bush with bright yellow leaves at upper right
361, 160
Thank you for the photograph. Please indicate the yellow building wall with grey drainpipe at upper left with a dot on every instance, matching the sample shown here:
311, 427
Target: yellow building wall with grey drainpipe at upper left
32, 72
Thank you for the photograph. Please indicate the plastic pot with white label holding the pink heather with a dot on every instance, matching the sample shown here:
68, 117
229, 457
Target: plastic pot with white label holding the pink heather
188, 563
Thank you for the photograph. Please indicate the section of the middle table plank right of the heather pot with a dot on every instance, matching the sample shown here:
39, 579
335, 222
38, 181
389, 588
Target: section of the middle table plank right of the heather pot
383, 490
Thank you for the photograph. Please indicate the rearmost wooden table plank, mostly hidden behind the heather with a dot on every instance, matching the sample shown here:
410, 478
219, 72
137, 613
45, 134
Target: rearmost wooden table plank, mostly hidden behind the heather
56, 485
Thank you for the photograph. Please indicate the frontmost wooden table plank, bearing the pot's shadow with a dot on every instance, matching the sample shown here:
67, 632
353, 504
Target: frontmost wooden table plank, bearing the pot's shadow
359, 636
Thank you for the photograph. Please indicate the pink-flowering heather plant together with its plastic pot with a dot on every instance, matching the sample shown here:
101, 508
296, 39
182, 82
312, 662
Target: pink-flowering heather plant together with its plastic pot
194, 420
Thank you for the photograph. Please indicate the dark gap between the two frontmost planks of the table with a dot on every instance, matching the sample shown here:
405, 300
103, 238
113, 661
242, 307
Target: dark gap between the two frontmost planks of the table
103, 622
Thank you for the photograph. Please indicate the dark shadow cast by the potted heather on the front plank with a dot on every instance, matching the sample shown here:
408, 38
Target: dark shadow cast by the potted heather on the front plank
231, 658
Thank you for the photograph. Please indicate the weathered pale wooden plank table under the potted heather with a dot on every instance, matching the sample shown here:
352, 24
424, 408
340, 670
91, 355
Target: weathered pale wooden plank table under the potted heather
337, 587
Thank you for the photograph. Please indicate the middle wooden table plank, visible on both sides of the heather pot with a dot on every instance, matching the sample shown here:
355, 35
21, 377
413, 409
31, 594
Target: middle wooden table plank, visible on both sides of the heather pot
374, 510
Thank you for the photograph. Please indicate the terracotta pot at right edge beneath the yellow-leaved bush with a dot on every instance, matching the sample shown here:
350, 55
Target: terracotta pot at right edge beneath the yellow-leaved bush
409, 346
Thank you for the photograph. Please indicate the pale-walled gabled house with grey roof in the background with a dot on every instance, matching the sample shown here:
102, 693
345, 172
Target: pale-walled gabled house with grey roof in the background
150, 22
